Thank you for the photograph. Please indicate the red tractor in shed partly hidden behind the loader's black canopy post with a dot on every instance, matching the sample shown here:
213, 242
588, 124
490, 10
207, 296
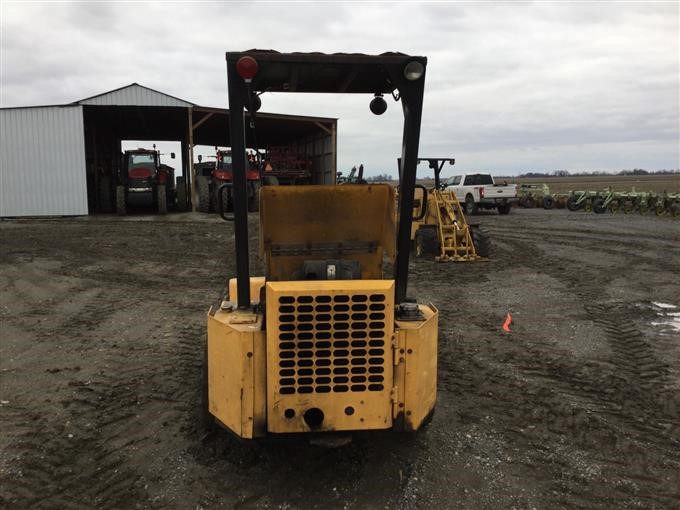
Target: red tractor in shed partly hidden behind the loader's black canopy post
210, 177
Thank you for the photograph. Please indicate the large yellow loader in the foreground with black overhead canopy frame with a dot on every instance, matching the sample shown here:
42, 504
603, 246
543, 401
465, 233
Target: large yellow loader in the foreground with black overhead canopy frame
324, 341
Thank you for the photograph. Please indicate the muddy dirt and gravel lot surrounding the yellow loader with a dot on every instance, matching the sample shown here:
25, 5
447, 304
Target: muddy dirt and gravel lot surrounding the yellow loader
577, 407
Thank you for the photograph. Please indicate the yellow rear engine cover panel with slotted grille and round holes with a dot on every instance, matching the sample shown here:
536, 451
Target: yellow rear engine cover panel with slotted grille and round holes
329, 355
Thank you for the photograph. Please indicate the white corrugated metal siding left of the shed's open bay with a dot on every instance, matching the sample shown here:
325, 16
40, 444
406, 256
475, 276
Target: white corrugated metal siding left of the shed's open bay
42, 162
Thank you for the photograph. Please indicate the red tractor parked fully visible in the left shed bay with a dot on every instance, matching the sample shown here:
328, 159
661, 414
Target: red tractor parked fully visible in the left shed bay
144, 182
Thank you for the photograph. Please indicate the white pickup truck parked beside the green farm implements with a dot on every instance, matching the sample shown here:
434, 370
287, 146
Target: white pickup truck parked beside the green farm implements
477, 191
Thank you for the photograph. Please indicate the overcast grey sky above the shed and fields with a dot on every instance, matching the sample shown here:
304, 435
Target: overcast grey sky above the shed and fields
509, 88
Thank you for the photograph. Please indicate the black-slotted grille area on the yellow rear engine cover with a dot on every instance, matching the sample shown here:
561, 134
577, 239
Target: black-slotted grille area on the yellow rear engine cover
332, 343
